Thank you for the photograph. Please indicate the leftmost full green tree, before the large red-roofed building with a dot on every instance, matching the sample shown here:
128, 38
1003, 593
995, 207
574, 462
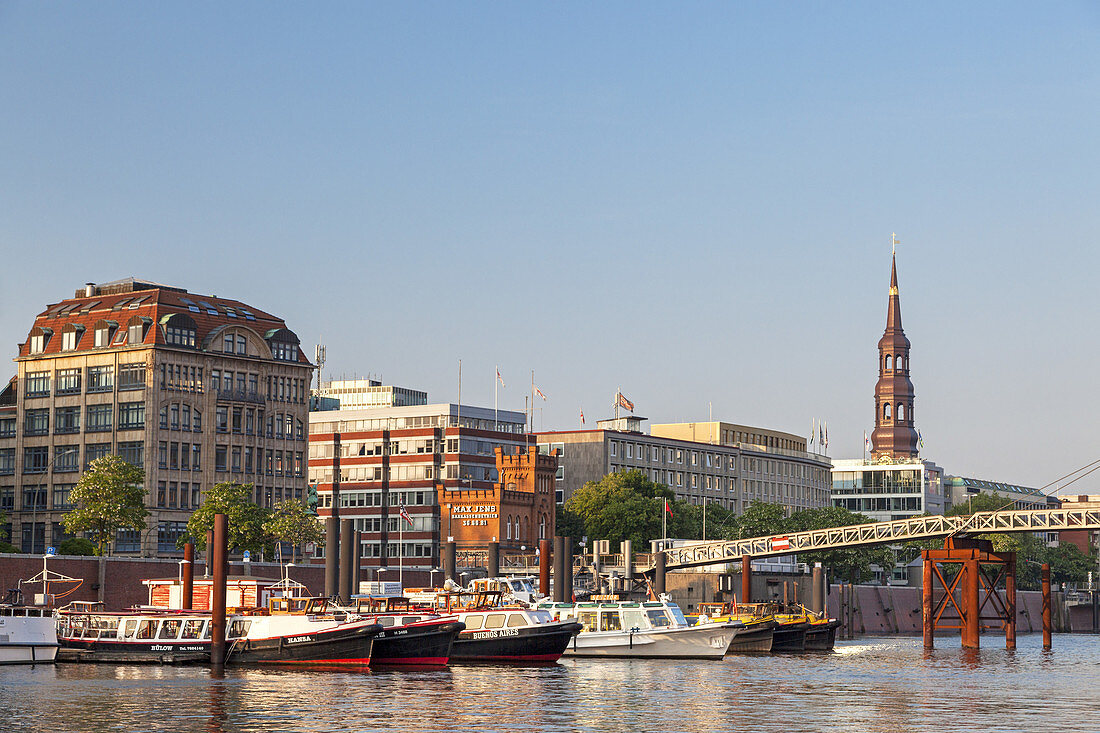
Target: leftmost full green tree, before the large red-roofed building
109, 497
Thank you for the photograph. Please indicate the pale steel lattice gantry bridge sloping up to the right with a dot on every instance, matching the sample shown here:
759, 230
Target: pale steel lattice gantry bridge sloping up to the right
882, 533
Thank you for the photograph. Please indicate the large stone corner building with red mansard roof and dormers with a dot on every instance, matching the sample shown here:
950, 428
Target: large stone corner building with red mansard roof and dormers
195, 390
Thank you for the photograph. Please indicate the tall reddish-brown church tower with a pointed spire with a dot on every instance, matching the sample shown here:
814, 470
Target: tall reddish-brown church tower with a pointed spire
895, 436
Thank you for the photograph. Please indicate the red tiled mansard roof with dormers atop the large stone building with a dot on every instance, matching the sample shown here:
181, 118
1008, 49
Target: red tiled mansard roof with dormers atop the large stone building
155, 304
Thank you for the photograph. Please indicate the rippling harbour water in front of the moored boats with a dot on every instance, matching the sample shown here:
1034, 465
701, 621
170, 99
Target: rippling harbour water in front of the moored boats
871, 685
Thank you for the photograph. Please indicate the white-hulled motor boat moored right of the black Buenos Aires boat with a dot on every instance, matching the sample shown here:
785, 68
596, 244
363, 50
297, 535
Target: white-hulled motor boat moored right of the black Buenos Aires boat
653, 629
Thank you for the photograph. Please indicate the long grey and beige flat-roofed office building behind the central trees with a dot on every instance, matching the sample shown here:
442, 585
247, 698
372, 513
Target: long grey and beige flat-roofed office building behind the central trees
732, 475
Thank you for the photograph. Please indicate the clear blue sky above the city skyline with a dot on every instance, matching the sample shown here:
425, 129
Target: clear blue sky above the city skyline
689, 202
